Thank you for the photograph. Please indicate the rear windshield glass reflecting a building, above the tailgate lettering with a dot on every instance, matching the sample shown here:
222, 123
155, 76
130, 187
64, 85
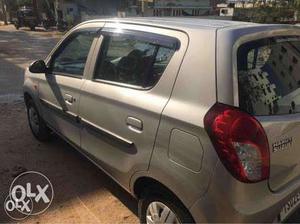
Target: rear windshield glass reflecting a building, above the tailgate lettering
269, 76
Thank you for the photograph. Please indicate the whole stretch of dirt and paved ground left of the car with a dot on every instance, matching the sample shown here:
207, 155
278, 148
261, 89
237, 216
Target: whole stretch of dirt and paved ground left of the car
83, 194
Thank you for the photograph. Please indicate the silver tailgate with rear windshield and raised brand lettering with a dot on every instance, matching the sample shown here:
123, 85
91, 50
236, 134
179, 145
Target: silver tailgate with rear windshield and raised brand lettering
269, 88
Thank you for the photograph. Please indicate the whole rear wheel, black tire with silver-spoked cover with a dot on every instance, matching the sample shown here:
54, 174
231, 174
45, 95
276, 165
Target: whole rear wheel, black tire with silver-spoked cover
161, 208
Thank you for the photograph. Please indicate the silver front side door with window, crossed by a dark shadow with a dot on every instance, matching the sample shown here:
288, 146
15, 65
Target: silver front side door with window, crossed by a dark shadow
59, 90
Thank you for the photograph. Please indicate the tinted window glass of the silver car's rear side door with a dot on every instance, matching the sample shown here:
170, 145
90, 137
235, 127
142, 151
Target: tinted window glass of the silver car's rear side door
137, 59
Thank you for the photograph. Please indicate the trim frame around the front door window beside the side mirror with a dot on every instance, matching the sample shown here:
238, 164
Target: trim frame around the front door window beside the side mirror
63, 44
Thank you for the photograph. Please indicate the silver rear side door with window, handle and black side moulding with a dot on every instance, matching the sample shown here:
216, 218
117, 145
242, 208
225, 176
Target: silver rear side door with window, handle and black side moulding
121, 104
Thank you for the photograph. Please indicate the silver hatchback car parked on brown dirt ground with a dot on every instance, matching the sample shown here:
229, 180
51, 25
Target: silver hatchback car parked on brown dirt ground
198, 119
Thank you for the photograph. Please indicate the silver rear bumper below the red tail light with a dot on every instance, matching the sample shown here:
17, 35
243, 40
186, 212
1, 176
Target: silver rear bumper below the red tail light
229, 200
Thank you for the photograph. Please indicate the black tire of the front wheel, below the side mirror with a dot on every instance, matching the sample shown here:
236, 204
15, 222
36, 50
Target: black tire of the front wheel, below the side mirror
42, 132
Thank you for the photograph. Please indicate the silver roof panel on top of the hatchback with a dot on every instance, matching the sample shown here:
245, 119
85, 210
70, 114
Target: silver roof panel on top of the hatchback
178, 22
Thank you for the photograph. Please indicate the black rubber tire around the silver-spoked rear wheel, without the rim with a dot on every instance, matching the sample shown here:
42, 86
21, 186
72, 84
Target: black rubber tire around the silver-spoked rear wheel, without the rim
167, 199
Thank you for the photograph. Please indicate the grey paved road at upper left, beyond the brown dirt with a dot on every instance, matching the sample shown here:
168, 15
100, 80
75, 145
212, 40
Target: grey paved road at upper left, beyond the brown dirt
17, 50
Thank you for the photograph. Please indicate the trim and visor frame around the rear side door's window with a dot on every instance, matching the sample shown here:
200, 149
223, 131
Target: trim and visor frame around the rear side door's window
136, 34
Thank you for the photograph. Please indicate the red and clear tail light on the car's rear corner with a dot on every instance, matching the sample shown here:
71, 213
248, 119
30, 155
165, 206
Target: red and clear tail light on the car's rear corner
240, 142
